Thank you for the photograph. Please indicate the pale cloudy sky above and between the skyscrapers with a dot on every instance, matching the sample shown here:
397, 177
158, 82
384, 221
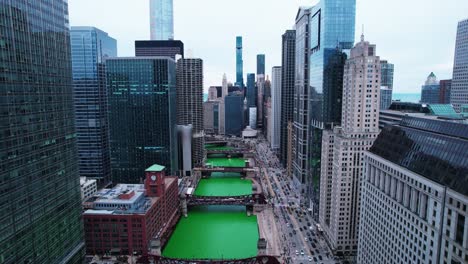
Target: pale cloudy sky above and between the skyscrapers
418, 36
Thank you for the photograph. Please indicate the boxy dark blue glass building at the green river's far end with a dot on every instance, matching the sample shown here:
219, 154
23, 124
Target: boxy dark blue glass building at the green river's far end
234, 117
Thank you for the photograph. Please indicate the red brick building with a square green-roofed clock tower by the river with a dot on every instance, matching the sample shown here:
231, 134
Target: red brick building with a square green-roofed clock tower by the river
130, 218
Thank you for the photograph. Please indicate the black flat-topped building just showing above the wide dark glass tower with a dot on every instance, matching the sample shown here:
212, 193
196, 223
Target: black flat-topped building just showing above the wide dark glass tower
164, 48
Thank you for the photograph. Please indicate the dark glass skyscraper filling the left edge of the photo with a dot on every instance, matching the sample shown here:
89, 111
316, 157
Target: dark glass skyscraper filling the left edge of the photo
40, 186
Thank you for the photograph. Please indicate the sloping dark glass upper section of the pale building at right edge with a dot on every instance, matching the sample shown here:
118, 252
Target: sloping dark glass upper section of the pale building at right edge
431, 148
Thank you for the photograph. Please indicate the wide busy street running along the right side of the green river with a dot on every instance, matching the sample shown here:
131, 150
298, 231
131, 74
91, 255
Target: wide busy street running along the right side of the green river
301, 241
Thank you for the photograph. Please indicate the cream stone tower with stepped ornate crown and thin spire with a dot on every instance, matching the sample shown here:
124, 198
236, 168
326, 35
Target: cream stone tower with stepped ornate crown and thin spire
343, 149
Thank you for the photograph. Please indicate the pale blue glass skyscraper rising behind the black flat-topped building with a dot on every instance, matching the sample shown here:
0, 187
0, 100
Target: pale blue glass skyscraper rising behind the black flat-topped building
161, 20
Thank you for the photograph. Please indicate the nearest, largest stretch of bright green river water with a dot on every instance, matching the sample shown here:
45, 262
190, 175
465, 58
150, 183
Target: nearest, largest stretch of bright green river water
214, 232
